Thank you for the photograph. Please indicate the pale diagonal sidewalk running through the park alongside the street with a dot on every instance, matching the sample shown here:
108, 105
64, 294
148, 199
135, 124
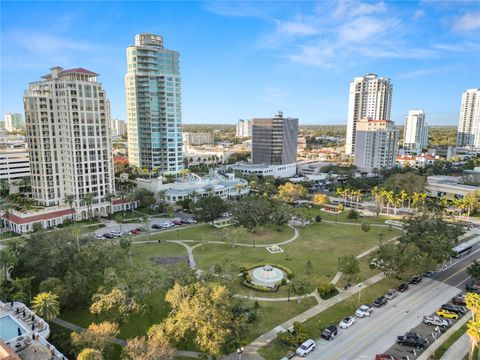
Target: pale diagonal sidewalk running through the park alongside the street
250, 351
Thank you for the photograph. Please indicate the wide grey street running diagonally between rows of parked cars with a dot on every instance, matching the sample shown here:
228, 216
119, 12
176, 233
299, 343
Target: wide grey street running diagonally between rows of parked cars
376, 334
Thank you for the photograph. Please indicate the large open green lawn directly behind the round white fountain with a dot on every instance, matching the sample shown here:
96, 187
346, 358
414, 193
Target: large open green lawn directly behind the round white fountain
321, 243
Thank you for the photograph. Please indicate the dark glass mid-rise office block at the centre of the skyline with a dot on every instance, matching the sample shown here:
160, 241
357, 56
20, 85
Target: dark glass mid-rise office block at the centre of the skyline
274, 140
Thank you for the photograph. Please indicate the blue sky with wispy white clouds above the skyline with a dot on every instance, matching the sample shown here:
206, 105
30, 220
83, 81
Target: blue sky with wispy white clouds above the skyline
252, 59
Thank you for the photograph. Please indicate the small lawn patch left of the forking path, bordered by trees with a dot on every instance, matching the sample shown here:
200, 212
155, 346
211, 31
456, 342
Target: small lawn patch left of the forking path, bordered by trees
143, 253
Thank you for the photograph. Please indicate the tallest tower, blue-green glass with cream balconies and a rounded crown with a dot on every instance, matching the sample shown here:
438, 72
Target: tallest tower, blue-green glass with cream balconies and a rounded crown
154, 122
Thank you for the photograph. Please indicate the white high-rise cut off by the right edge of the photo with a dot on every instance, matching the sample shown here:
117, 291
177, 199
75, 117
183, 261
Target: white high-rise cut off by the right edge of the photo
468, 134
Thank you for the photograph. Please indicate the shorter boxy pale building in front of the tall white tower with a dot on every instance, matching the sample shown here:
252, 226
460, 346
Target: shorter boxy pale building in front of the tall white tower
376, 145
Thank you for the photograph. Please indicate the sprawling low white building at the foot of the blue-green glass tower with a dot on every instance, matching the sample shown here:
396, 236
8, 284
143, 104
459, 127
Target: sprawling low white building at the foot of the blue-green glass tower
195, 187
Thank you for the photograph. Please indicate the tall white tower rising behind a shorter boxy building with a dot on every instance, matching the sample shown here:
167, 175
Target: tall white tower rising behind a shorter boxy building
370, 98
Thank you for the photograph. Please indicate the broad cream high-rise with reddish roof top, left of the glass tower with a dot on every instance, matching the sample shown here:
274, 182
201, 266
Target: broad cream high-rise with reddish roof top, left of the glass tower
68, 134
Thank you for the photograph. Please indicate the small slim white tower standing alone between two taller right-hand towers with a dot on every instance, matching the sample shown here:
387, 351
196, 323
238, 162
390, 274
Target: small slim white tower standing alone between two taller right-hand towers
415, 135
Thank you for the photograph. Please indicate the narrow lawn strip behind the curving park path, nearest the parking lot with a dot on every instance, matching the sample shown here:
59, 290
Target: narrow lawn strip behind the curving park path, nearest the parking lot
264, 235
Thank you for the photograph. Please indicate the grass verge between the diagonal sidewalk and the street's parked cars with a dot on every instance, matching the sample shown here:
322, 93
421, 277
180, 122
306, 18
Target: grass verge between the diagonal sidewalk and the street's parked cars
333, 315
